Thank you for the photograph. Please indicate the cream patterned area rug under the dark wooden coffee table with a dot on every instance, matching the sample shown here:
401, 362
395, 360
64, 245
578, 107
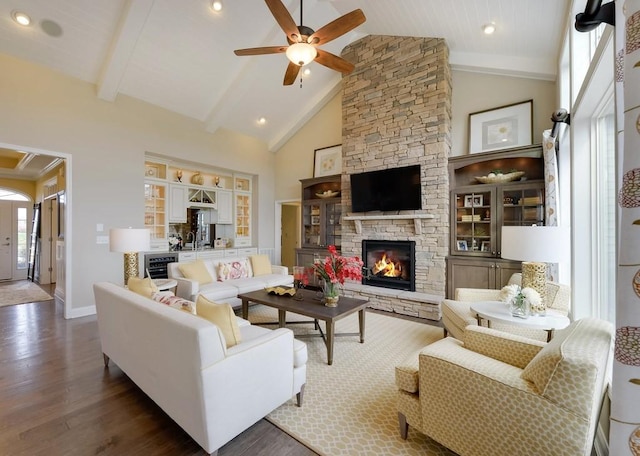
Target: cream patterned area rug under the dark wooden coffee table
349, 408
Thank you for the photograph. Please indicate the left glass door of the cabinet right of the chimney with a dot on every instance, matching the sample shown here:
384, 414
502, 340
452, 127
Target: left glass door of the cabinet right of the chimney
474, 223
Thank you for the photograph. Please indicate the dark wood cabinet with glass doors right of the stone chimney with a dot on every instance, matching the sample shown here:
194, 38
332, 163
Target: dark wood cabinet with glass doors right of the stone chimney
479, 210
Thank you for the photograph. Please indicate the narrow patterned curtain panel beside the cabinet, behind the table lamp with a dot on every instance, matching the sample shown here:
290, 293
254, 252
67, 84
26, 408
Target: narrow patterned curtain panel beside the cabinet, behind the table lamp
551, 190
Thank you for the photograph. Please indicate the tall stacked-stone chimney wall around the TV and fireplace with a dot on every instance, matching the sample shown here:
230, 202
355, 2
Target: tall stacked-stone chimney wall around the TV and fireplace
396, 112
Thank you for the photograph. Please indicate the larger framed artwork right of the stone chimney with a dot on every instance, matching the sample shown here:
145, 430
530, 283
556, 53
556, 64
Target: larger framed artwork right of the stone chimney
501, 128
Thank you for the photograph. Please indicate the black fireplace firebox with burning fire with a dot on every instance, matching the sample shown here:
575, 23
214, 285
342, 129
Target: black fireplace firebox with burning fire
389, 264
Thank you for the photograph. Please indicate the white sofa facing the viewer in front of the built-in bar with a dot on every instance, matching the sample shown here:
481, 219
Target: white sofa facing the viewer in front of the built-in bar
228, 290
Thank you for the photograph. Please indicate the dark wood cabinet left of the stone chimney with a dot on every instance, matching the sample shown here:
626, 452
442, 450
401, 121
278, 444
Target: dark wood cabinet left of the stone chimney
321, 219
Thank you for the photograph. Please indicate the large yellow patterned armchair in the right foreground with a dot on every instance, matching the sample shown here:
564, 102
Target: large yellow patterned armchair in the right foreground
501, 394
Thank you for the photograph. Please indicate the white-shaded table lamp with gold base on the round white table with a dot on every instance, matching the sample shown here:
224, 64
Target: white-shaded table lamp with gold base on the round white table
535, 246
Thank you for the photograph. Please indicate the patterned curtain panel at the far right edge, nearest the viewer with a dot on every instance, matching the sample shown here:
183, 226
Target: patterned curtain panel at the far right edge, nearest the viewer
625, 405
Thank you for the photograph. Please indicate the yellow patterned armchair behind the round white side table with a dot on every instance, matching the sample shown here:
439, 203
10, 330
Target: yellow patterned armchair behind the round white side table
457, 315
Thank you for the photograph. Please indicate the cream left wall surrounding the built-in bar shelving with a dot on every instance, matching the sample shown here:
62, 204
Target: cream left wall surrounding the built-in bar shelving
42, 109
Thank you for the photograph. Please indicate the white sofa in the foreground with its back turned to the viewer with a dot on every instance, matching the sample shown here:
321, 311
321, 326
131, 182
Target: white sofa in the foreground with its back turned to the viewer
181, 361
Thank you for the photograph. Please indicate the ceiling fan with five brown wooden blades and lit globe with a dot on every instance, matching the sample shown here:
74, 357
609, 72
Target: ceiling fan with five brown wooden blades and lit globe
304, 42
